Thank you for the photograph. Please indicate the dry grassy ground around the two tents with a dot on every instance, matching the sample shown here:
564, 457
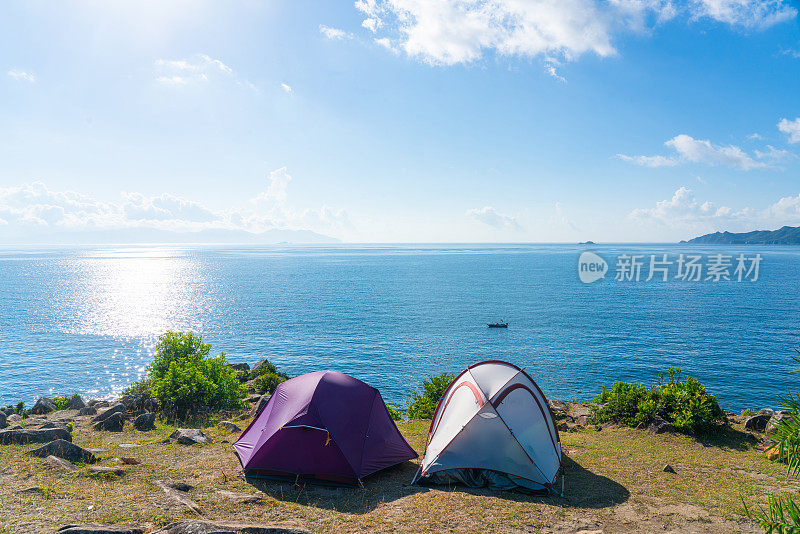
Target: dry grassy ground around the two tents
614, 483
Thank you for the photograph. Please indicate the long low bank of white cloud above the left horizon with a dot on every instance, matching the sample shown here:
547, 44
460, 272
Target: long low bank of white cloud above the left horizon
35, 206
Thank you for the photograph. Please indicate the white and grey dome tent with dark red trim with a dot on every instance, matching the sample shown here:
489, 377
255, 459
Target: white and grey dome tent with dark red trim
493, 427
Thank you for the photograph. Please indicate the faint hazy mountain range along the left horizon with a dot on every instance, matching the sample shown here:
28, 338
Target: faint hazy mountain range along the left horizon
154, 235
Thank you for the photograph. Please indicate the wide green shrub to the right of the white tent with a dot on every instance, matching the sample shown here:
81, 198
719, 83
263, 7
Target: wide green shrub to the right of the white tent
685, 404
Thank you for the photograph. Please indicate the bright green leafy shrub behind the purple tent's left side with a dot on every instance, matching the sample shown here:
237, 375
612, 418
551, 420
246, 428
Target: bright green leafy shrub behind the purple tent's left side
183, 376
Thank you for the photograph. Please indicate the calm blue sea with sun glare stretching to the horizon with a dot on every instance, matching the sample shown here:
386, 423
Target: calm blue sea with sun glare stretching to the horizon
86, 319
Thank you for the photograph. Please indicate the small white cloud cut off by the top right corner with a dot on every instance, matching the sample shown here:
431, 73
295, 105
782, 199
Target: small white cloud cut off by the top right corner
752, 14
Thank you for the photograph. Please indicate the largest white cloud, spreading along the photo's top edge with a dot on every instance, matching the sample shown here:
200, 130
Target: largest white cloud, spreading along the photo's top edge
446, 32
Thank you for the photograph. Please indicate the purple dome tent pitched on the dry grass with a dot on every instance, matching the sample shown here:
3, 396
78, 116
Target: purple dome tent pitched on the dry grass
324, 426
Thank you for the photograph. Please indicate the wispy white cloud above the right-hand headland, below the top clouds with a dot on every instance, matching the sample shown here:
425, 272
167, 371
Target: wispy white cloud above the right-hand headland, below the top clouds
702, 151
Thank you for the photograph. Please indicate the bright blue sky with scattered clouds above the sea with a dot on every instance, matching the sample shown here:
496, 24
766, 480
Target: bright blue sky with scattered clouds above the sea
401, 120
